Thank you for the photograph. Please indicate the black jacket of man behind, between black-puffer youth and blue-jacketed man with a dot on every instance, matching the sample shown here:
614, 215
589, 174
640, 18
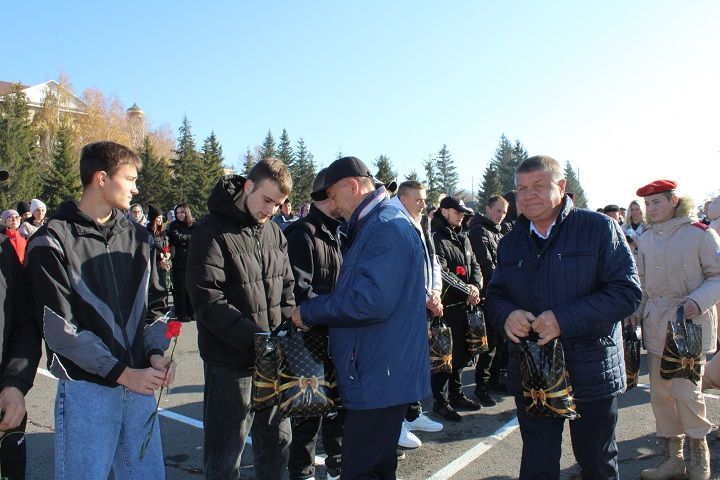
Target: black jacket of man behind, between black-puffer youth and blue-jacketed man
314, 251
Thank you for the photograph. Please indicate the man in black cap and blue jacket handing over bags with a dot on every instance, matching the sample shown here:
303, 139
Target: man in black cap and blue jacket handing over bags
376, 319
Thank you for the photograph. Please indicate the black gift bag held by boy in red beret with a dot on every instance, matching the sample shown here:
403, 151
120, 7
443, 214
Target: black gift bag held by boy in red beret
682, 356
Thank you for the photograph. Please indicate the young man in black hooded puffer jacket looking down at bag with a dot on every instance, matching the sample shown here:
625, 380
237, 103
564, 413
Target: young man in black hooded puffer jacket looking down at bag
240, 283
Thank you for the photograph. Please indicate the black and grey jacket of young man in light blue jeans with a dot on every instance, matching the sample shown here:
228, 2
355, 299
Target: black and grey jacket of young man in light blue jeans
92, 285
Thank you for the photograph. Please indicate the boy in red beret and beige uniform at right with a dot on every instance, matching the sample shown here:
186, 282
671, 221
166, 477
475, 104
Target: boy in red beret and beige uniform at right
679, 264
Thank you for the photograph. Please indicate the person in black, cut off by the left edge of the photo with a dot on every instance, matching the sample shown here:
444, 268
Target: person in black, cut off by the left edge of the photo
20, 351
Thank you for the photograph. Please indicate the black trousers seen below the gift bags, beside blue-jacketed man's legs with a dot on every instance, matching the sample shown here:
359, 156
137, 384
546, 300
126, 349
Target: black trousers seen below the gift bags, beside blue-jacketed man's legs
304, 438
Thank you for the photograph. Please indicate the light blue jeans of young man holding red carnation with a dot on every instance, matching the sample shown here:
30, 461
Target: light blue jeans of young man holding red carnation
98, 429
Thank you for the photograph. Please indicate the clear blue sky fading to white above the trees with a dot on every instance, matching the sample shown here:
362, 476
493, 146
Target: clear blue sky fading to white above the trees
627, 91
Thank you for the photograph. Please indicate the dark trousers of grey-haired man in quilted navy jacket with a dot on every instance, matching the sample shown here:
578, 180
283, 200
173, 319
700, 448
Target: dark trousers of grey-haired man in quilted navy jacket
593, 442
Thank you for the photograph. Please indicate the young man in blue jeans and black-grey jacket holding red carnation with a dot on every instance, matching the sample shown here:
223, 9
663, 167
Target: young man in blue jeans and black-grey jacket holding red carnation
93, 275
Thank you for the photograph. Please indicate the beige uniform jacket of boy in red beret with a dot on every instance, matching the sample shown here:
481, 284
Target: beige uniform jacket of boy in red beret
677, 259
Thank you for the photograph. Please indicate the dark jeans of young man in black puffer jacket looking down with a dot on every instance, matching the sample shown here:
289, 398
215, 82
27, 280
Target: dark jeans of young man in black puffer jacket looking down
228, 422
